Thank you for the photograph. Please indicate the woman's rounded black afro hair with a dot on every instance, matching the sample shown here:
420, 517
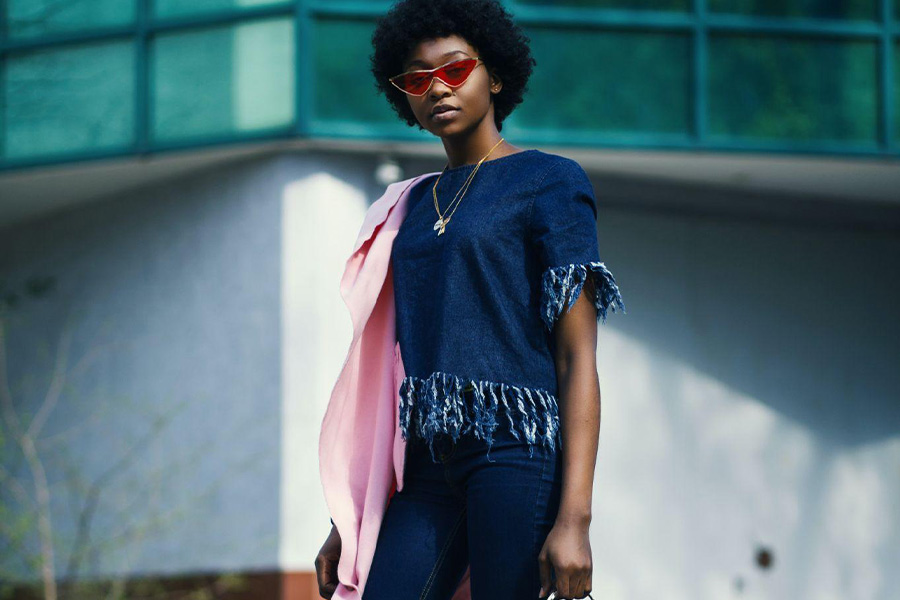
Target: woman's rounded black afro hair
485, 24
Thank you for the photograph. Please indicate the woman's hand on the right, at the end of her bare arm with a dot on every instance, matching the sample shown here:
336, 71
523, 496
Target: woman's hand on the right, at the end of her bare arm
568, 550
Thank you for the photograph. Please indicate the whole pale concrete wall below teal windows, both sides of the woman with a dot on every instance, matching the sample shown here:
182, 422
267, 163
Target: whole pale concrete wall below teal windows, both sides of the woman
749, 394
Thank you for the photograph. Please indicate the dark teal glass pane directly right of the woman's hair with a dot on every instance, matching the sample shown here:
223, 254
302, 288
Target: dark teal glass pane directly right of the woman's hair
635, 82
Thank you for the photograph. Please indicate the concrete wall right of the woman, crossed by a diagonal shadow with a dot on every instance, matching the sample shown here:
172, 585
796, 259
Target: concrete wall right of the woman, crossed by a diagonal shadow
750, 396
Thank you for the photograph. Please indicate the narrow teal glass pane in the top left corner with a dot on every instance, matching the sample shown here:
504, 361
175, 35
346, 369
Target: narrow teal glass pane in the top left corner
35, 18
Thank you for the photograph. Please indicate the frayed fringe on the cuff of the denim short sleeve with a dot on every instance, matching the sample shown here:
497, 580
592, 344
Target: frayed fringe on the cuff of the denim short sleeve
561, 286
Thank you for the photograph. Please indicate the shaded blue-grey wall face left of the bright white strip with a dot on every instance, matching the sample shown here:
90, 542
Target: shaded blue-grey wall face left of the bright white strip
173, 394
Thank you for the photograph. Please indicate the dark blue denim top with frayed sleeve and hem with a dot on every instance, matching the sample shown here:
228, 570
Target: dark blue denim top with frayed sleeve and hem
476, 306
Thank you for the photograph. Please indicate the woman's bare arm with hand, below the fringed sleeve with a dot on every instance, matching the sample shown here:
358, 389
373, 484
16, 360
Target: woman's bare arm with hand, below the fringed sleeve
567, 547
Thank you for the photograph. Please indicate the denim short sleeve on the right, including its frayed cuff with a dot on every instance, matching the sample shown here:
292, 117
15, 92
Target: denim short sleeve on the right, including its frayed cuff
563, 229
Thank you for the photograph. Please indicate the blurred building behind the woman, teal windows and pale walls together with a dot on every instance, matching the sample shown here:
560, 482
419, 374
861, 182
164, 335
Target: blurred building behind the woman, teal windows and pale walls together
181, 182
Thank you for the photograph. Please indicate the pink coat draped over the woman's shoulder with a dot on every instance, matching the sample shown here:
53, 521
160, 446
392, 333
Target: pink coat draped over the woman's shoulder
361, 451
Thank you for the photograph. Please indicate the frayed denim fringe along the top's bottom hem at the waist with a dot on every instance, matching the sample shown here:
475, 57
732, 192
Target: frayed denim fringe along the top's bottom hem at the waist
439, 406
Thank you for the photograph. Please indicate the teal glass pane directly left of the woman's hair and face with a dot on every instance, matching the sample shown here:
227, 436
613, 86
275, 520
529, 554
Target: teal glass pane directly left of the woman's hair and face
344, 87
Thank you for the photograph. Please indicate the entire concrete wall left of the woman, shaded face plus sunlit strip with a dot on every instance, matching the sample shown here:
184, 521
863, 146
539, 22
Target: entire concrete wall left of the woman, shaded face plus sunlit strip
212, 302
